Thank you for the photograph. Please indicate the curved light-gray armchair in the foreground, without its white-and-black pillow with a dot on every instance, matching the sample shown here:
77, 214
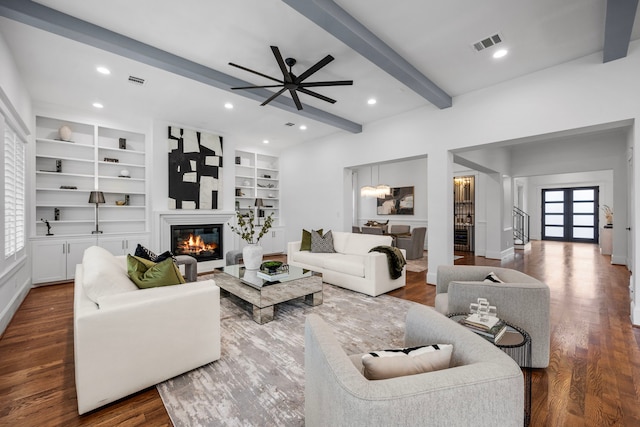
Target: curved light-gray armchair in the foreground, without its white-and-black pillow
484, 385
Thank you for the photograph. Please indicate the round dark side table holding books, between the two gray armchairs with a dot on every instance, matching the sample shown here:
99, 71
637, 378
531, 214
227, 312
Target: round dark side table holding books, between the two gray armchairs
516, 342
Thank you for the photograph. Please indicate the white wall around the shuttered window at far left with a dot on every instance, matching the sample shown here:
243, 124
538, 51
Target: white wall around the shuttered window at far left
15, 106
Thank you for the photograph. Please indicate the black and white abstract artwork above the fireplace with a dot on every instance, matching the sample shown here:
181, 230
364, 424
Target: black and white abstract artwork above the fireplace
195, 169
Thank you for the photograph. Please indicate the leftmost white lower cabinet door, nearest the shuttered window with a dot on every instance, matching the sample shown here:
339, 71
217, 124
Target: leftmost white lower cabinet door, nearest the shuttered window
49, 261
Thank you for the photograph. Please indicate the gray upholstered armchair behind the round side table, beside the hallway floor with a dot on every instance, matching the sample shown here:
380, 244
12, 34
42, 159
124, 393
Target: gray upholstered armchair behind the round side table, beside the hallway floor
522, 300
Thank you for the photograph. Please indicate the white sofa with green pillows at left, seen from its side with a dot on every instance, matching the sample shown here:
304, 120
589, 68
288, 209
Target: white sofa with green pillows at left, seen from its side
127, 339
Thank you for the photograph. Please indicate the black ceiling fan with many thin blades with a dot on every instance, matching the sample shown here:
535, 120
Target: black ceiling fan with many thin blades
294, 83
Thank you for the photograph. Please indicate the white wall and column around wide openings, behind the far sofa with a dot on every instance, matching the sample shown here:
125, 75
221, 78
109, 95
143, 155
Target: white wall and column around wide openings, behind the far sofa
556, 100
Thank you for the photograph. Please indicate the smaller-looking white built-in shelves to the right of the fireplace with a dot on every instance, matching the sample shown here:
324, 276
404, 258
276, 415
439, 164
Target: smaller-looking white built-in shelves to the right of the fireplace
257, 177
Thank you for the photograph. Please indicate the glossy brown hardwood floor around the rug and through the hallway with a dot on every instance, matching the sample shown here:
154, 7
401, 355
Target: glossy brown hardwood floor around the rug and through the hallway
593, 378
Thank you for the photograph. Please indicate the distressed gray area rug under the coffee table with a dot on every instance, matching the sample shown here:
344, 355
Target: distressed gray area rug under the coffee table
259, 379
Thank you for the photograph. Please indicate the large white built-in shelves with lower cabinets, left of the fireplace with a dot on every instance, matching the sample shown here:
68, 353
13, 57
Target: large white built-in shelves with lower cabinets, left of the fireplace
71, 160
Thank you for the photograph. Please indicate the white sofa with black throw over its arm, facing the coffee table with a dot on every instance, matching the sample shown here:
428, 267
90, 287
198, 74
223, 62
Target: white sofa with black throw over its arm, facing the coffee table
352, 266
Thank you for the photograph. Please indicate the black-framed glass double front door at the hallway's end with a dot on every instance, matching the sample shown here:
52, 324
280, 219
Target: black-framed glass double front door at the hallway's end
570, 214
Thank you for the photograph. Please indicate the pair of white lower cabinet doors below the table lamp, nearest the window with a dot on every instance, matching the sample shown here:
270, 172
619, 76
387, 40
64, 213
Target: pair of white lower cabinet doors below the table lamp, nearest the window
55, 259
